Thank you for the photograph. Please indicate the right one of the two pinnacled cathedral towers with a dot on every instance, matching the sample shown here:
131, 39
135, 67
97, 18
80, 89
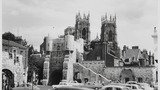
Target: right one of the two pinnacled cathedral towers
108, 33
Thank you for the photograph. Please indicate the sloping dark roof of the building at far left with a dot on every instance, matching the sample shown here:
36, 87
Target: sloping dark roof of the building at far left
12, 43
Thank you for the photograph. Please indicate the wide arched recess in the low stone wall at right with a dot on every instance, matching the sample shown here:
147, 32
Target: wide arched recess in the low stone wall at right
127, 75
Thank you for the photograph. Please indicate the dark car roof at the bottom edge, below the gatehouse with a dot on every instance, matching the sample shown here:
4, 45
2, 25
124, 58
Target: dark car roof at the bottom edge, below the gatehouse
70, 88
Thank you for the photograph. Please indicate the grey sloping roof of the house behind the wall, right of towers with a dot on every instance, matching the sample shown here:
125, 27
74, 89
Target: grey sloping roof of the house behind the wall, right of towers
133, 53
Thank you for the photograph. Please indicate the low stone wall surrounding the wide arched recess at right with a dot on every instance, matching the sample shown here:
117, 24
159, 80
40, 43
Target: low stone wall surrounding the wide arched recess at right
146, 73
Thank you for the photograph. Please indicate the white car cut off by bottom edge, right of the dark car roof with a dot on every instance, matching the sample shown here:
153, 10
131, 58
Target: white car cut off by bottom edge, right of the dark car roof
114, 87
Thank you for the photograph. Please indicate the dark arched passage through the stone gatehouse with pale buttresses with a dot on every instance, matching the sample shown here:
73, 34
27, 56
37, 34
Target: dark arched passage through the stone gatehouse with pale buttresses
55, 77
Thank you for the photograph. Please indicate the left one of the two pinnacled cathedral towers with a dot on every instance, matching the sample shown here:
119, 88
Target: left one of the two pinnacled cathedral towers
82, 27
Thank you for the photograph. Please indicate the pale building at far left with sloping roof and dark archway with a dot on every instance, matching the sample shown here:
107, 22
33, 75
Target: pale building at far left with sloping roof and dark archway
14, 64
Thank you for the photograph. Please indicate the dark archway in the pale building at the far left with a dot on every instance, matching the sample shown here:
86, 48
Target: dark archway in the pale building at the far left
7, 79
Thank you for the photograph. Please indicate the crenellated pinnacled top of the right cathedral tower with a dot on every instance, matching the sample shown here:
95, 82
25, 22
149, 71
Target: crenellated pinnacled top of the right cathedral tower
104, 19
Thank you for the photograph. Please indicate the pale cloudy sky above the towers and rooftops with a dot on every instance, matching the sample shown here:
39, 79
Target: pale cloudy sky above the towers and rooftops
35, 19
